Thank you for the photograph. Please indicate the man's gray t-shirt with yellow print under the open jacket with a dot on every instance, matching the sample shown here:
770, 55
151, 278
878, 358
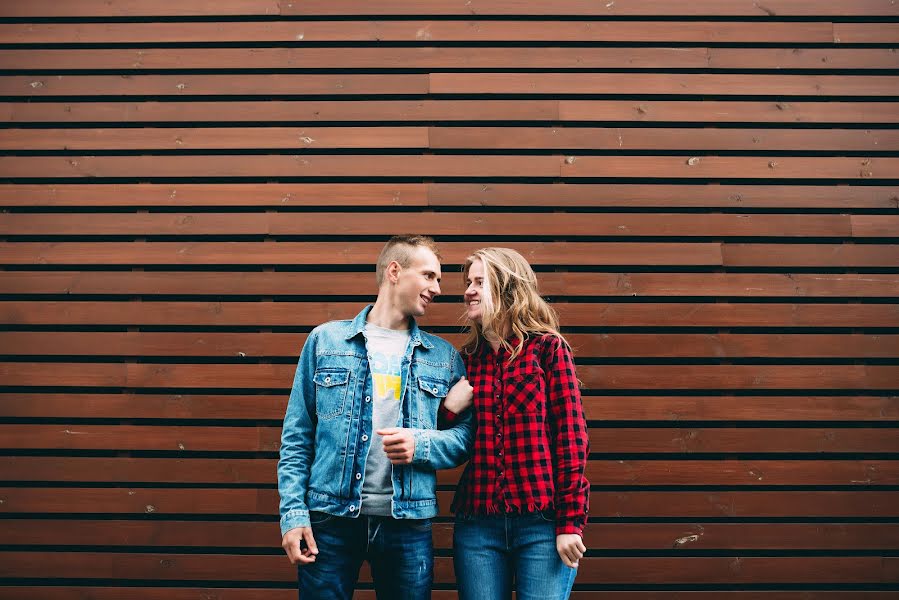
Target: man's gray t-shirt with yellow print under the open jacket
386, 348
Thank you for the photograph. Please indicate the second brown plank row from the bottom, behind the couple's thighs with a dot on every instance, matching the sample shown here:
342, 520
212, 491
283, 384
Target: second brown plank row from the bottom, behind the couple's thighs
205, 567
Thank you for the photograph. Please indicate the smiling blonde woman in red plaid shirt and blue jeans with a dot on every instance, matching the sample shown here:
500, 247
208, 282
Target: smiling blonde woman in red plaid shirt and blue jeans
521, 504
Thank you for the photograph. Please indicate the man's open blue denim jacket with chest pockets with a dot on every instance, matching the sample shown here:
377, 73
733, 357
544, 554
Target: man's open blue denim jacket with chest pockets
328, 426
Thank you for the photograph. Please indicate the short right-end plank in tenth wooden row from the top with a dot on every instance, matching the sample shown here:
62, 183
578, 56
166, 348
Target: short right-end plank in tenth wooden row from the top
810, 255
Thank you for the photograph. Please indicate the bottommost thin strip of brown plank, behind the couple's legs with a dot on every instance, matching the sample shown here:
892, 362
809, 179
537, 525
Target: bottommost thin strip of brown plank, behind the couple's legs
221, 593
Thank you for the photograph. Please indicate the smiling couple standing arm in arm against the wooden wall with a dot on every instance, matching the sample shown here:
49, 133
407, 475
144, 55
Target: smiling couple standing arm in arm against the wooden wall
377, 406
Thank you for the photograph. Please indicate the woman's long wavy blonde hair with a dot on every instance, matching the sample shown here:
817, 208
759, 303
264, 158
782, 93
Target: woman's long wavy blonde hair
511, 306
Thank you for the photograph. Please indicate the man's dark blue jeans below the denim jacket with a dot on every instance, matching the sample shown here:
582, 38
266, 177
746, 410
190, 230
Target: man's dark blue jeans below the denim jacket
399, 551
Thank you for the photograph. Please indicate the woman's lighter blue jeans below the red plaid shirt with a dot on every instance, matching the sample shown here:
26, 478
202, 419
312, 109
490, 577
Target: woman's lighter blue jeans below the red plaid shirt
492, 552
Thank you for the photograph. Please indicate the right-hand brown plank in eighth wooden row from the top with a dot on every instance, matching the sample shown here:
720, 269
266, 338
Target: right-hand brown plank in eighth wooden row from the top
652, 195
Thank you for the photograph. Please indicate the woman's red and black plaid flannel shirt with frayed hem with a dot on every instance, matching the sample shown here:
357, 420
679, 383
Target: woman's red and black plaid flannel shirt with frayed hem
530, 448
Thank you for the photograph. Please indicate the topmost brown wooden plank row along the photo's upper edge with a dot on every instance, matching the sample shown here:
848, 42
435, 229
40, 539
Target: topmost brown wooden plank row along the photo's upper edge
745, 8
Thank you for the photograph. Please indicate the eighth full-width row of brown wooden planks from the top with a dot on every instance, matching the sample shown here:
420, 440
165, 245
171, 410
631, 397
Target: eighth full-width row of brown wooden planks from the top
450, 194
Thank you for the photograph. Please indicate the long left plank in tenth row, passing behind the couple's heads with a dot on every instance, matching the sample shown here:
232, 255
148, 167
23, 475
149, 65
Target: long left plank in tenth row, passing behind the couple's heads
337, 253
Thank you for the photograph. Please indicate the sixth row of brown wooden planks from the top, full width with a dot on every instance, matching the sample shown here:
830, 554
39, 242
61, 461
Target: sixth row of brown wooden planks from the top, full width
509, 138
